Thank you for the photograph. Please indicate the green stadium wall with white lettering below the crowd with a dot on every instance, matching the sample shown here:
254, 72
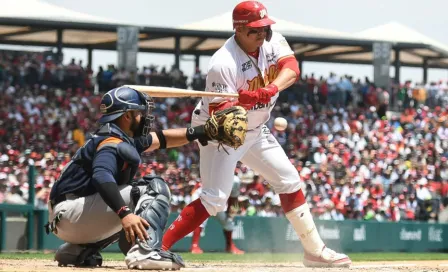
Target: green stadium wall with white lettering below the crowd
261, 234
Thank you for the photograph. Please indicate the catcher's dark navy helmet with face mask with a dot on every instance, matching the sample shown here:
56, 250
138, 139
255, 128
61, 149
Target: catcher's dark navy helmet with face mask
118, 101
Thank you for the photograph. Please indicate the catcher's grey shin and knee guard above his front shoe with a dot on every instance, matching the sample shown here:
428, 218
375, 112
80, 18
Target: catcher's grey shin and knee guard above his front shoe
153, 206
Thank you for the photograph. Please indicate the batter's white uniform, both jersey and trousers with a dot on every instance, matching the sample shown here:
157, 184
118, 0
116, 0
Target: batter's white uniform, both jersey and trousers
231, 70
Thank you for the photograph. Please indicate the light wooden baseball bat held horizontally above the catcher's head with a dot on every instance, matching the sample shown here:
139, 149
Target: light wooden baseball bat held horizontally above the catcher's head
156, 91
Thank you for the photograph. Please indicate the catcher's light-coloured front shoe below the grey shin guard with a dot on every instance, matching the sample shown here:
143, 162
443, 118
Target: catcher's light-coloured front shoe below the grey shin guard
155, 260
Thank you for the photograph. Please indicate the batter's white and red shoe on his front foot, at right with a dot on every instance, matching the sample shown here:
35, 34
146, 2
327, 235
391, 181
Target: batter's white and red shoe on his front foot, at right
328, 258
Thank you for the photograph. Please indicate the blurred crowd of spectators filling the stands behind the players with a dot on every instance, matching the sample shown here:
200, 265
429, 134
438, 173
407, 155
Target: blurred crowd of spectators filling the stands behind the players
357, 161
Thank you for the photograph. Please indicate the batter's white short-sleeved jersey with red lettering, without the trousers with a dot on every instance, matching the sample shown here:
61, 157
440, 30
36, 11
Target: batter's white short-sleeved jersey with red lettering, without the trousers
231, 69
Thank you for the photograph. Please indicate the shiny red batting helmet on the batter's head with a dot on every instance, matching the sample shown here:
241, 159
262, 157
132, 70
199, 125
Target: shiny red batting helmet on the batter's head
251, 14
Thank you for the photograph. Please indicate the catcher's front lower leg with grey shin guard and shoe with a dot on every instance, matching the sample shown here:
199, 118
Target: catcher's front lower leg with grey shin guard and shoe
154, 207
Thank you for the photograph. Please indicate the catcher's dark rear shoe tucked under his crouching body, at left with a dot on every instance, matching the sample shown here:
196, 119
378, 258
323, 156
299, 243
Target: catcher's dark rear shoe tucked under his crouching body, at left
84, 255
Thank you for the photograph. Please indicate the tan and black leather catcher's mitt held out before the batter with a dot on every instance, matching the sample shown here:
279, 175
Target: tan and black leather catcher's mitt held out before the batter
228, 126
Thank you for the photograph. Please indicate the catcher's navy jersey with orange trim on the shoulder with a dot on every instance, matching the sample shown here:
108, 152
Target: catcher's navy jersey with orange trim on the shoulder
99, 161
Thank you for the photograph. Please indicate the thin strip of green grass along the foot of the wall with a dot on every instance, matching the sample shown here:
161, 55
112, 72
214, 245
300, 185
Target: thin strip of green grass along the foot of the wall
257, 257
